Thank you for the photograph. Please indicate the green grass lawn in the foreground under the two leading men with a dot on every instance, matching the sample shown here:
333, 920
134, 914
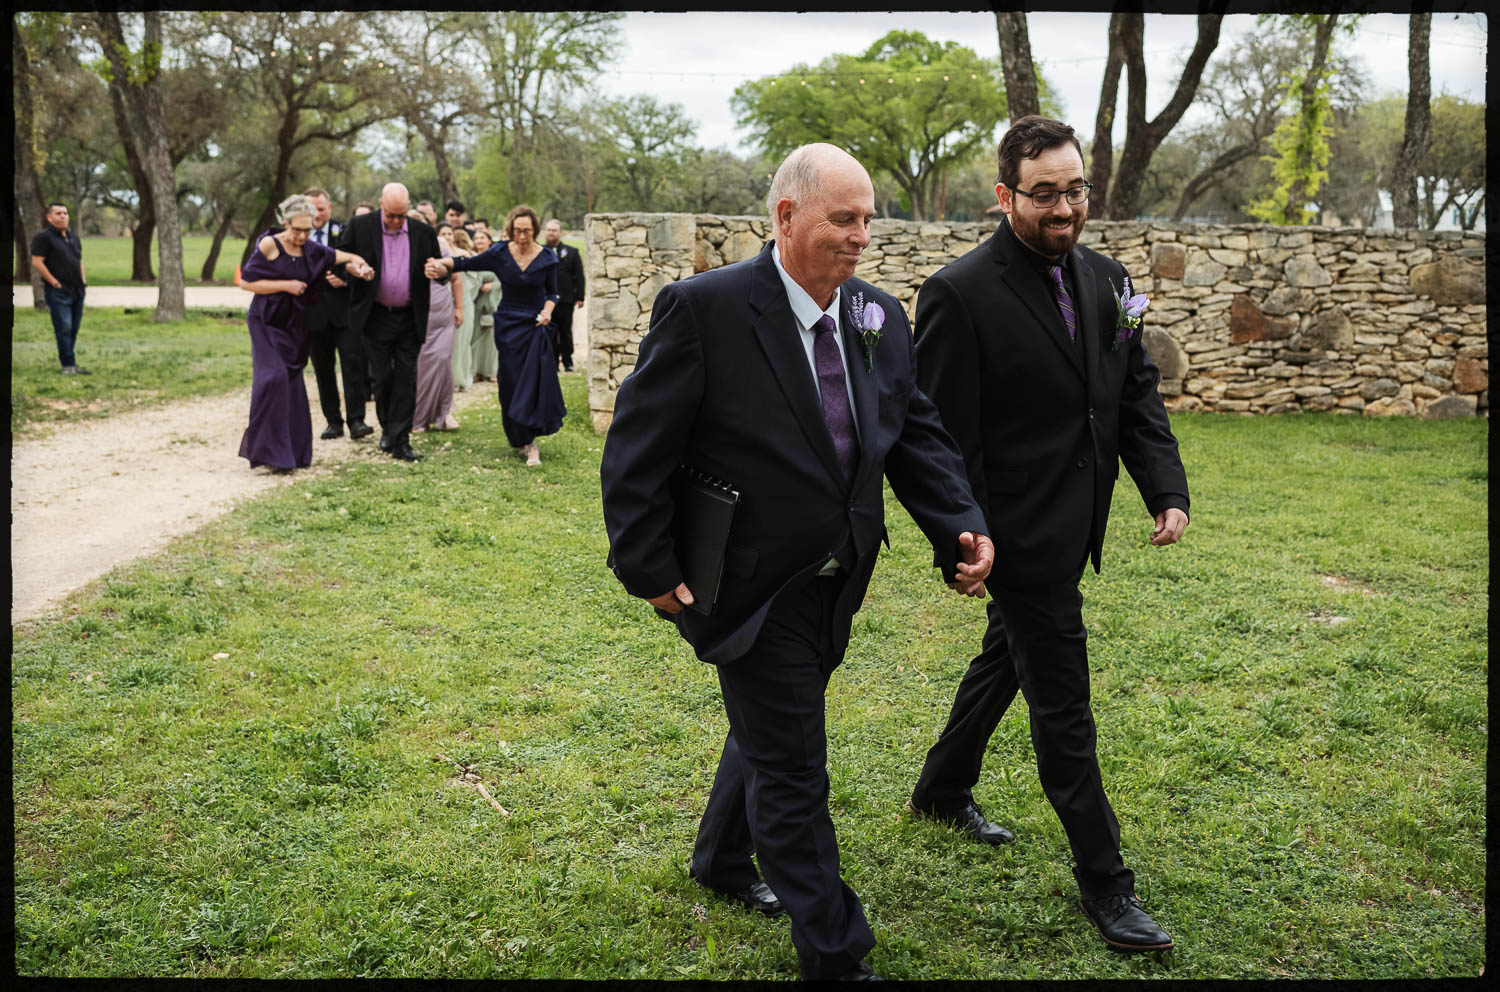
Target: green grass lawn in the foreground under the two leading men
227, 759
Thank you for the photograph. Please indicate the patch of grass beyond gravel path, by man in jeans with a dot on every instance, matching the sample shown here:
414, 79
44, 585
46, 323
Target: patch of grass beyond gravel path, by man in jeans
134, 362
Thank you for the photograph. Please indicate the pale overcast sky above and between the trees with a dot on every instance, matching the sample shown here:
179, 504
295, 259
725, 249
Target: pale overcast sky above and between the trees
698, 59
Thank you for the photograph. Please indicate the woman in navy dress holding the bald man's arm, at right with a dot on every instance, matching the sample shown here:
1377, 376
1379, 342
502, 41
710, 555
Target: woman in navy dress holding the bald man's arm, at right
530, 395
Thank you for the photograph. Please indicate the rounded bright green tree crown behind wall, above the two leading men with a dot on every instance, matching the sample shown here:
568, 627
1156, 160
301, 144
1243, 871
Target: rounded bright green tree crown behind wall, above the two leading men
907, 107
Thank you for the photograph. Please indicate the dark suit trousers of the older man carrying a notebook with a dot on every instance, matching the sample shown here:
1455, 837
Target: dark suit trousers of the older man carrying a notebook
770, 795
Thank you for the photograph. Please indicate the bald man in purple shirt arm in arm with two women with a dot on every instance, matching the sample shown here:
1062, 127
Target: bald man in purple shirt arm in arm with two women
391, 311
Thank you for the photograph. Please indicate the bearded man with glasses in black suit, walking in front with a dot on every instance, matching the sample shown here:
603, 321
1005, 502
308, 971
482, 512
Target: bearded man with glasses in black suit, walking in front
1046, 388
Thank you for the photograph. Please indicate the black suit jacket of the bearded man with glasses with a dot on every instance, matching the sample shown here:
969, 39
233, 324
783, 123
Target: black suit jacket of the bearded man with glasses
1043, 422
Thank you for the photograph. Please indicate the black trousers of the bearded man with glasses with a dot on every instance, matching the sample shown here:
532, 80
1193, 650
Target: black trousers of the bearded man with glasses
1036, 643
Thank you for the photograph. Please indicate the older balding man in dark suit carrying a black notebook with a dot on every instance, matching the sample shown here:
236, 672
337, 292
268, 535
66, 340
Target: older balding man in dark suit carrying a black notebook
773, 376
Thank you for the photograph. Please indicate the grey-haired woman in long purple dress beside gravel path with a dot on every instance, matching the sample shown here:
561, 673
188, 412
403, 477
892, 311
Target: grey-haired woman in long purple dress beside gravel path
286, 274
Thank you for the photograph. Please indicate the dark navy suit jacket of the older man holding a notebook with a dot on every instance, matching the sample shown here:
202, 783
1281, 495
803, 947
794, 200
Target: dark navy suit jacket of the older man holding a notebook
724, 385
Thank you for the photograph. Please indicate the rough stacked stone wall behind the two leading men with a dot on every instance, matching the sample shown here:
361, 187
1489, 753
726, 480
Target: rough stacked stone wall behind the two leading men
1246, 317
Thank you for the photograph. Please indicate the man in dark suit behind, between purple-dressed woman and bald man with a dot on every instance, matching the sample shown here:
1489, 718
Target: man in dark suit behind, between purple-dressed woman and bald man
329, 332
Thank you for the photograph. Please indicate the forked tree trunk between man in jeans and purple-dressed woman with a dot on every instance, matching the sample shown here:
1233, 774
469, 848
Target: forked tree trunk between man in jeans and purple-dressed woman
146, 116
